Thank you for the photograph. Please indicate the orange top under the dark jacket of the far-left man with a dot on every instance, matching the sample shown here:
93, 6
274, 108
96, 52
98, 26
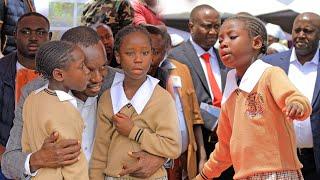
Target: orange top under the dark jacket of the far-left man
23, 76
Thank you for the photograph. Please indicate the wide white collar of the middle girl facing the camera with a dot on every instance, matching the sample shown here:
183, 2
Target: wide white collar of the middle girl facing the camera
138, 101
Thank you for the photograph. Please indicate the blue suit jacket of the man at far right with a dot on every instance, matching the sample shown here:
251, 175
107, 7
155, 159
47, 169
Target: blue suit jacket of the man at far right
282, 60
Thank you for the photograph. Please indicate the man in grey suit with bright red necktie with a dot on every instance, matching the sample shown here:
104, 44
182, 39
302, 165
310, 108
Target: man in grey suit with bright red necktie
208, 73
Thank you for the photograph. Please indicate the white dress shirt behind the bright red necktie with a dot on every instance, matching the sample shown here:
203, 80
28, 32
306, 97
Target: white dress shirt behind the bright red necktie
213, 62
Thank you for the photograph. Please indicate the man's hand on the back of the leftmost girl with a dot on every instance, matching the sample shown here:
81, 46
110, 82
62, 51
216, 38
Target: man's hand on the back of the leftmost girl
53, 154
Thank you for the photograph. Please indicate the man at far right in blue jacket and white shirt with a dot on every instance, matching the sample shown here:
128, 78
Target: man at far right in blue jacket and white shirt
303, 68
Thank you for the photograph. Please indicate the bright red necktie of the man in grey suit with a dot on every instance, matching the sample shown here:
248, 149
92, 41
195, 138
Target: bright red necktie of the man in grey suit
213, 83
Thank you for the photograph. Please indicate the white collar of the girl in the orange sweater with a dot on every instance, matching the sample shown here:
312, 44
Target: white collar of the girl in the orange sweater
248, 81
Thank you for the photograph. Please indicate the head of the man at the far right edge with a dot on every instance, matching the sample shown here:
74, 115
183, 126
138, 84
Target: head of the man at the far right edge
306, 35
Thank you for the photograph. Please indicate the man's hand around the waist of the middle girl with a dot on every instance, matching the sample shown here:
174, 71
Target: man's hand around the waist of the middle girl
146, 165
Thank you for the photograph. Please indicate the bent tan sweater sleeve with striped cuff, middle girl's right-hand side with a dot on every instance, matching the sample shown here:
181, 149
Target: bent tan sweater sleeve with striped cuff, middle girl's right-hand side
165, 141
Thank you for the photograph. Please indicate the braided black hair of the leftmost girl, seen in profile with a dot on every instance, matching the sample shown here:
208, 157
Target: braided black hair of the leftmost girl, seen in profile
52, 55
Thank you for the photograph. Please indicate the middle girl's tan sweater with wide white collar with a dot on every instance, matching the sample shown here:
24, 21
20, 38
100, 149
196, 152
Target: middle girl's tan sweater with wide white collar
155, 129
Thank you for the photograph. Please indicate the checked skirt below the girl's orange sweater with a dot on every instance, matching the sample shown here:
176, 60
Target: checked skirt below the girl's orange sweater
283, 175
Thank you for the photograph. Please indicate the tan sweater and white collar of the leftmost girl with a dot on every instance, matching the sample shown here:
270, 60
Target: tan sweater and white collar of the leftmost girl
44, 112
